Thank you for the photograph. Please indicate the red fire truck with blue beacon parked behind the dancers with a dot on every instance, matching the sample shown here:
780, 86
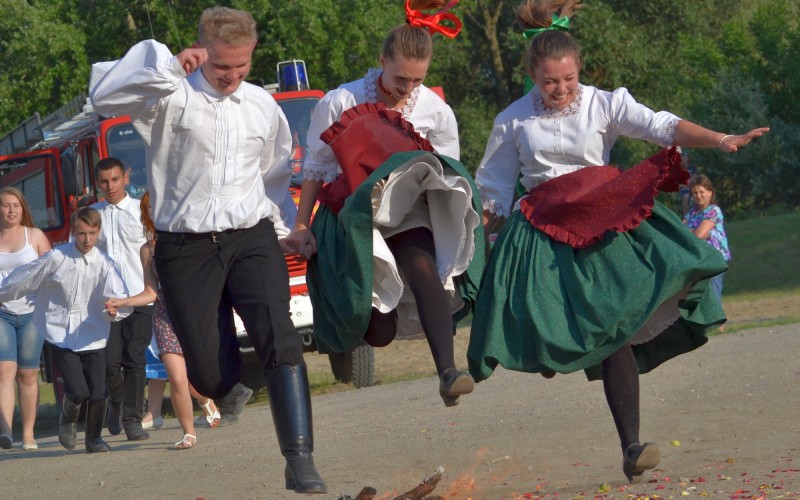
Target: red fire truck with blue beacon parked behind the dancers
52, 160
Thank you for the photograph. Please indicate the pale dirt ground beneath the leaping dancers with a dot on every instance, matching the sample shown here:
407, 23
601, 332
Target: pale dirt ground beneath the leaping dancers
725, 416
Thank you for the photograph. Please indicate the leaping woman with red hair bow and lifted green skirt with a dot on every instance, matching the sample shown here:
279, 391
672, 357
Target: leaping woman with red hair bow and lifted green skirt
391, 247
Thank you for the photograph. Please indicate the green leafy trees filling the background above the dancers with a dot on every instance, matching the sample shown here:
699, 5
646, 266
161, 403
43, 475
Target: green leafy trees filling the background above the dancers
729, 65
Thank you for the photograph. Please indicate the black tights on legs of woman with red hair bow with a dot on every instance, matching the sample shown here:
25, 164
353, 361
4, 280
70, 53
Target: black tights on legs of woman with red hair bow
415, 254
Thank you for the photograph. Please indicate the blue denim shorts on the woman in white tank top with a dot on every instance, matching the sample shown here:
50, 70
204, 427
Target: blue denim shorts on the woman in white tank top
20, 341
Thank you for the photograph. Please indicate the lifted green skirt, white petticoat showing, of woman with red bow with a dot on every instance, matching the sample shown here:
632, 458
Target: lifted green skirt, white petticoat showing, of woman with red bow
340, 275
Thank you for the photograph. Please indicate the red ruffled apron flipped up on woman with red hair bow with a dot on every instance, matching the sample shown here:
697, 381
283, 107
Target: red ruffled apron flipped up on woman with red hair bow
365, 137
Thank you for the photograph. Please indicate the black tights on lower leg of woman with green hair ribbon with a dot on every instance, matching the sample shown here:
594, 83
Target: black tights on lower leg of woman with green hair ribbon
621, 385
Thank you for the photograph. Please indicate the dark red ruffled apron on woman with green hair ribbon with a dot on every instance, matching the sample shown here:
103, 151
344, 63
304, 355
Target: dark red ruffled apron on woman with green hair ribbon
580, 207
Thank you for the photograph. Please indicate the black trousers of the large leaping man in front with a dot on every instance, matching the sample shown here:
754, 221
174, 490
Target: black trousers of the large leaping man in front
201, 273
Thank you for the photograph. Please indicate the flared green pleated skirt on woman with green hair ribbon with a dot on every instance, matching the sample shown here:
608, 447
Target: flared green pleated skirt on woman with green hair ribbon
544, 306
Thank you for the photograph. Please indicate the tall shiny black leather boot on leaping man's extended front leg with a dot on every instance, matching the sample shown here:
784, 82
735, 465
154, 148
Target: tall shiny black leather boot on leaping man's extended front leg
290, 402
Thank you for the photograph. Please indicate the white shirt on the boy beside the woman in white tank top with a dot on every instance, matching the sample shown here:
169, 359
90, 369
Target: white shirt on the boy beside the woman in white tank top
72, 289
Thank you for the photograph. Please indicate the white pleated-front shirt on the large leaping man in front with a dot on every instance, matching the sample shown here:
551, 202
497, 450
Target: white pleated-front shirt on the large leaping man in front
216, 161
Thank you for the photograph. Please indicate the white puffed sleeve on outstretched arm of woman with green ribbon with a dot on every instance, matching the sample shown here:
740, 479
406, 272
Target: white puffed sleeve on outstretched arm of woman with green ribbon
637, 121
